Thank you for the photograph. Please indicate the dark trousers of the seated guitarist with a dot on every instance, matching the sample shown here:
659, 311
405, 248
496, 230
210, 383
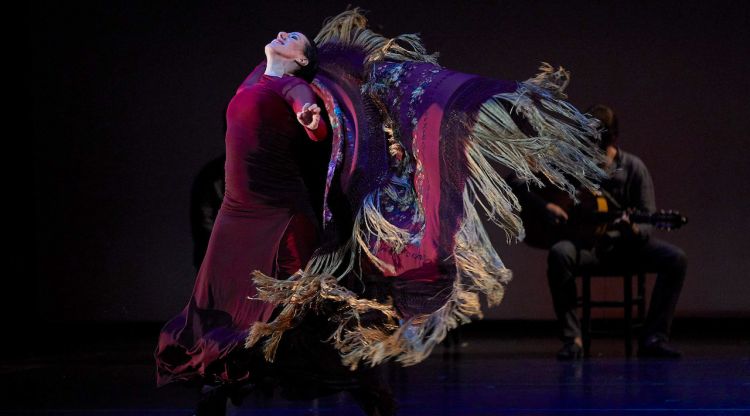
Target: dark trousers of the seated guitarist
565, 261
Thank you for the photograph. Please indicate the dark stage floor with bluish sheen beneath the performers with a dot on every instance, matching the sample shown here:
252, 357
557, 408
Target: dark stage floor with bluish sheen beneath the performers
493, 374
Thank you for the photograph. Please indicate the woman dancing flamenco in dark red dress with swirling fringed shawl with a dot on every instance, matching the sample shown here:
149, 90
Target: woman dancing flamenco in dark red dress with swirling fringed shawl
401, 255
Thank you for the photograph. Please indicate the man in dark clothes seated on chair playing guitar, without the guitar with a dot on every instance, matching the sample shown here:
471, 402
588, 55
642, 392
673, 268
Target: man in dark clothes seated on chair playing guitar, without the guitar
625, 245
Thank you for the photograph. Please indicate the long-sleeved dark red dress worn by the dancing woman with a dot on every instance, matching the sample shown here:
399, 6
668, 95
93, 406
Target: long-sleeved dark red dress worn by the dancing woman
266, 222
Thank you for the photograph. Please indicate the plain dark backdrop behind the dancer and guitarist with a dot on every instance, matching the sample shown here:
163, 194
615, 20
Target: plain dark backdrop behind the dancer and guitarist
128, 102
